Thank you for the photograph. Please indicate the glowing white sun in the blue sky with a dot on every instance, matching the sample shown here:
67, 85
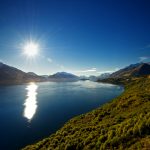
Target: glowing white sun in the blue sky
31, 49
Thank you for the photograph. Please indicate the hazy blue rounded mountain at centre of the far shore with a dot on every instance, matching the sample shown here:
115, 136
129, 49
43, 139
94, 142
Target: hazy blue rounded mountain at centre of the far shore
63, 76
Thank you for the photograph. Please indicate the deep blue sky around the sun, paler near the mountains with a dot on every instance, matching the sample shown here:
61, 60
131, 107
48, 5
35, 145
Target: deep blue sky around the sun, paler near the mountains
79, 36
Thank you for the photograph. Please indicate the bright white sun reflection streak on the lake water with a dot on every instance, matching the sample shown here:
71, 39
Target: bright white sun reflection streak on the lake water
30, 103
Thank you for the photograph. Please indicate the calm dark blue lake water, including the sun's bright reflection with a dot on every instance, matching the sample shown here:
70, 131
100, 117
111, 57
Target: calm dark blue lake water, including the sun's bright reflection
33, 111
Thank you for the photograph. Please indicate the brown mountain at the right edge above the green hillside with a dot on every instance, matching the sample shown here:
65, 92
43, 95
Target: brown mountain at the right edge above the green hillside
134, 70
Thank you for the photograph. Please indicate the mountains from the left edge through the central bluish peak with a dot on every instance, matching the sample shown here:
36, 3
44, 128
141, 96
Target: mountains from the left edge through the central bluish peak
11, 75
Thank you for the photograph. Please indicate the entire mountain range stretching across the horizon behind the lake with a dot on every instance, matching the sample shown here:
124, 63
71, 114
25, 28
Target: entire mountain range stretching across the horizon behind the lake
11, 75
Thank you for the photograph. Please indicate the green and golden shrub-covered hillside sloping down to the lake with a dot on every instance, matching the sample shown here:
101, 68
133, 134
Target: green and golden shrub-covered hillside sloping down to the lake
122, 124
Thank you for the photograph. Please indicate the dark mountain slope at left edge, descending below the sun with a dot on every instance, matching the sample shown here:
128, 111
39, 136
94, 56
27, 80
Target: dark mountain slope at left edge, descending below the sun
11, 75
